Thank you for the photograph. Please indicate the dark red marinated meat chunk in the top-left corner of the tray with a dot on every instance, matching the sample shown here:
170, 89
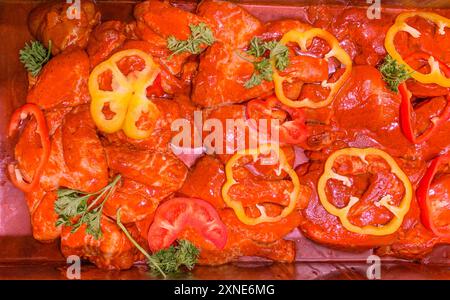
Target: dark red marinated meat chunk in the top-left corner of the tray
63, 24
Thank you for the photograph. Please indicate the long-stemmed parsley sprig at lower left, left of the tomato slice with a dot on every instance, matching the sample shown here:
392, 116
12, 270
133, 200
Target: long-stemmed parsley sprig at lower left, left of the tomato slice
72, 205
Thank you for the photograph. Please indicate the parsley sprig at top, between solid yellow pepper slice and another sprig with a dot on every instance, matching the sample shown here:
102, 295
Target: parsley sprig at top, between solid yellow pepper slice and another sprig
201, 34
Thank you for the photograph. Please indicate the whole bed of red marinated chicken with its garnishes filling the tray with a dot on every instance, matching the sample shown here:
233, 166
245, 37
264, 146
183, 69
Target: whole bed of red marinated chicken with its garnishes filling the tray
362, 148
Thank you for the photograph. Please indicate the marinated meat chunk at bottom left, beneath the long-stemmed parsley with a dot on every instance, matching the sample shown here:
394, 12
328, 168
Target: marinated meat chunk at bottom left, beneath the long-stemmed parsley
111, 251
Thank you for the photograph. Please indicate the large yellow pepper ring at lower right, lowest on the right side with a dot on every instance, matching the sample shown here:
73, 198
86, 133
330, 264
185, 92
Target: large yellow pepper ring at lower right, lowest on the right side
399, 212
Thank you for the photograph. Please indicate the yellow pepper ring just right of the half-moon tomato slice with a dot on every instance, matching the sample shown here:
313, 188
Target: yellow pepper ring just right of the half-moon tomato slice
283, 166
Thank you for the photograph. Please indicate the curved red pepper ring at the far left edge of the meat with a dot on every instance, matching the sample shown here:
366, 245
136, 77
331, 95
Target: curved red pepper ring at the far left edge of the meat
22, 113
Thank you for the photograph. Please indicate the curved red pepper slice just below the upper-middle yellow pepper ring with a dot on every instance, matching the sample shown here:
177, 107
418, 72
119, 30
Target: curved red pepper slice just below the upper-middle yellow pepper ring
290, 132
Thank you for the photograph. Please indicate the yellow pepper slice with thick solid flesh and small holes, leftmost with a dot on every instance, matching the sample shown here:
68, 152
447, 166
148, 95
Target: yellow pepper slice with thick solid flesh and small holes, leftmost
128, 100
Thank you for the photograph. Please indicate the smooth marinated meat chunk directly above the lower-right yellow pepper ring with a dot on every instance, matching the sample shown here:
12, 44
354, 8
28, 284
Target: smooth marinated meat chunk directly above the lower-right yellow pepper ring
368, 114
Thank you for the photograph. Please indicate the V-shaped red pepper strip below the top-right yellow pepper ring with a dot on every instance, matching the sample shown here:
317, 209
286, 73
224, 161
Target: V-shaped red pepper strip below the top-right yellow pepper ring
406, 122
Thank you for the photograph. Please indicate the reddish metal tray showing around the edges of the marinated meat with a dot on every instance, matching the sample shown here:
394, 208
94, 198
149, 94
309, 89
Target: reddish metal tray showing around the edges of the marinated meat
22, 257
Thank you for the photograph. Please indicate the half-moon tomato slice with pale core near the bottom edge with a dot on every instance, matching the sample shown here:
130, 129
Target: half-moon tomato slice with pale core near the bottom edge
177, 214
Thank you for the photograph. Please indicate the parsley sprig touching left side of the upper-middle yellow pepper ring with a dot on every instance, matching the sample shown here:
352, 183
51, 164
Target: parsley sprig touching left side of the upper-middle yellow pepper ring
263, 67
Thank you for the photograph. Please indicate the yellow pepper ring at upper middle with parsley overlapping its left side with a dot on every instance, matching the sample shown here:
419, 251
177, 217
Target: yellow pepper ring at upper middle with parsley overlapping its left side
303, 39
